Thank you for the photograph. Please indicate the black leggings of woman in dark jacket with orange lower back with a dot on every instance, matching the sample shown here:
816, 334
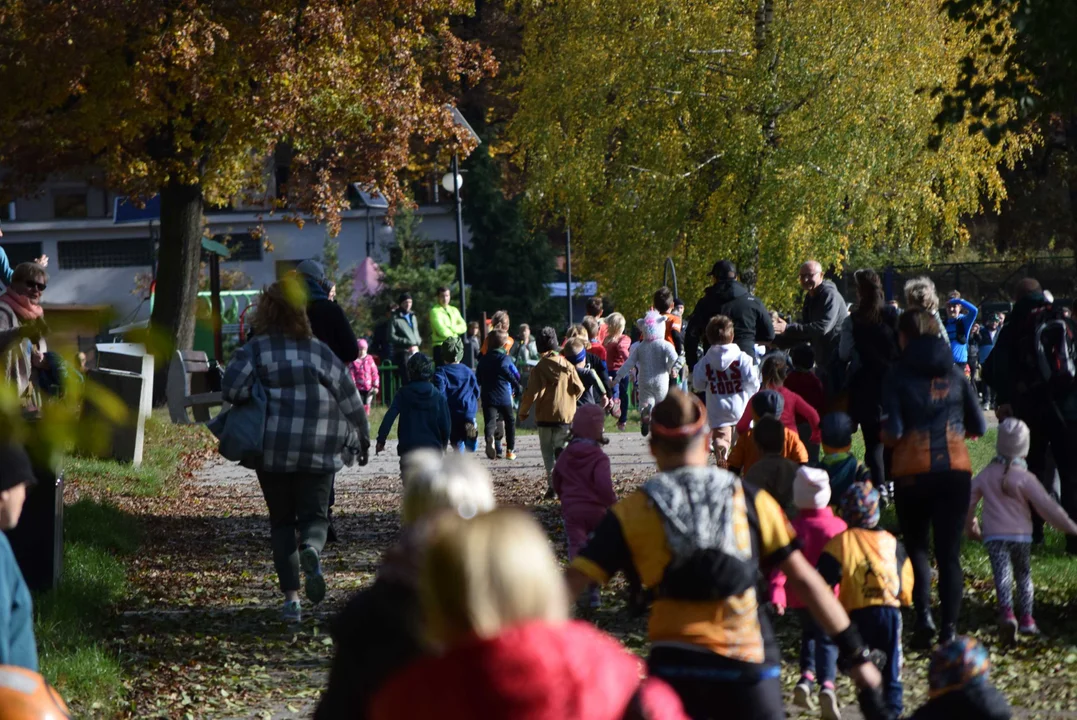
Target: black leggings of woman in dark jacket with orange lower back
935, 502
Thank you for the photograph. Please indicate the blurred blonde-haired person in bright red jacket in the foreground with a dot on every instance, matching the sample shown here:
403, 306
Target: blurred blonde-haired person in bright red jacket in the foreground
497, 612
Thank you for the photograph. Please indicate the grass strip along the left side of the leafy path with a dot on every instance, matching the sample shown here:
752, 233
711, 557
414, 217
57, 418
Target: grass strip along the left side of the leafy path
72, 624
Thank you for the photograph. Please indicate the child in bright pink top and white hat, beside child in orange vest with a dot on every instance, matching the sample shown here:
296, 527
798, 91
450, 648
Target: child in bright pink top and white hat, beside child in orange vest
816, 525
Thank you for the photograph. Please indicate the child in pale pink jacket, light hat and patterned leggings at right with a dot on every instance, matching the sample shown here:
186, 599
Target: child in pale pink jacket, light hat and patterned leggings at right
1009, 490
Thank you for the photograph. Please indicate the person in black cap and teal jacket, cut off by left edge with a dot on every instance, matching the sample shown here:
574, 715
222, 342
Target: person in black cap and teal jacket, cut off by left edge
18, 646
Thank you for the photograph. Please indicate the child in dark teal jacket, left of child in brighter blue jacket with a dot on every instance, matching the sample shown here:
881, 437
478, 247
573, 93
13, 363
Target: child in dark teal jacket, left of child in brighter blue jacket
423, 410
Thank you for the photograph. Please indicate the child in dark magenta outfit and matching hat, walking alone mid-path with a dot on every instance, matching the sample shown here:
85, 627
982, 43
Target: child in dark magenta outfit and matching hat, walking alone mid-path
583, 483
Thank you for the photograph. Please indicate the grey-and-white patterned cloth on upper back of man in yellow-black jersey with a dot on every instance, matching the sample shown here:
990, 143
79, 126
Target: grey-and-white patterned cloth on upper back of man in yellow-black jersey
698, 510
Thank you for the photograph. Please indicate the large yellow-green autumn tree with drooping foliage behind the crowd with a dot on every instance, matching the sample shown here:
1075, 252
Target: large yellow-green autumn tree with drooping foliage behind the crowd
762, 132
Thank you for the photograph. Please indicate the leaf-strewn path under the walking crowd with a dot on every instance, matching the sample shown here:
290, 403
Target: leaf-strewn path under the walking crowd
203, 637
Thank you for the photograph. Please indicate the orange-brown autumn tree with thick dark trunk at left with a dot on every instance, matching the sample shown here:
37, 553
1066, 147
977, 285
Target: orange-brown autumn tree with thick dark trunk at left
188, 100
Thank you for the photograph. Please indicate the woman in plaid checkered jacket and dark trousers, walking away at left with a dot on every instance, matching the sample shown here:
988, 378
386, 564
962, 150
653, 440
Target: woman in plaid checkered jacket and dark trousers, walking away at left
315, 426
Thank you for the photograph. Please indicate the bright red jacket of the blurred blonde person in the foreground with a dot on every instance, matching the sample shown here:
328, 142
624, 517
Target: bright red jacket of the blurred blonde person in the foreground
536, 671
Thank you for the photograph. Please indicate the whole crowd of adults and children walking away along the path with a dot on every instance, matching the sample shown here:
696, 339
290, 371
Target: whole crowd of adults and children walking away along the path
759, 509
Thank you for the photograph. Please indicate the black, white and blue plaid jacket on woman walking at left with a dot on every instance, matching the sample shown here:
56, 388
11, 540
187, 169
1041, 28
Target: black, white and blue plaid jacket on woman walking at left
315, 419
